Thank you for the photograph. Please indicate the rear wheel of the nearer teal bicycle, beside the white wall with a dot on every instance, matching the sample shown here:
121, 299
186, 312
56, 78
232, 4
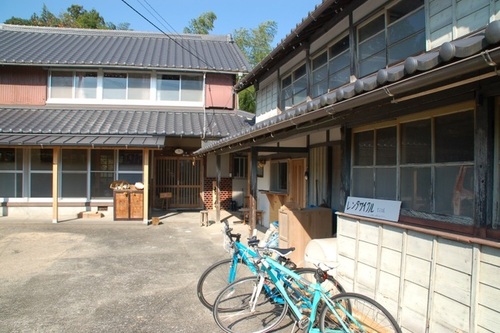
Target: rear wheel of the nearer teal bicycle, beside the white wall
365, 315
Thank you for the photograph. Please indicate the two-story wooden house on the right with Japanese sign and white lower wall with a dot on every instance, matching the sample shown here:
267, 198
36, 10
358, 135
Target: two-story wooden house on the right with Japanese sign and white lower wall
396, 100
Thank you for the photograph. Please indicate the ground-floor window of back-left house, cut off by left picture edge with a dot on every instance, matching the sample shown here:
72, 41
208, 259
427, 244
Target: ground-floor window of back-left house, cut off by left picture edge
11, 172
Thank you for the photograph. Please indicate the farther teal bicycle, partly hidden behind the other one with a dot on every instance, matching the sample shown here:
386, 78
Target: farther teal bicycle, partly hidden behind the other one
242, 264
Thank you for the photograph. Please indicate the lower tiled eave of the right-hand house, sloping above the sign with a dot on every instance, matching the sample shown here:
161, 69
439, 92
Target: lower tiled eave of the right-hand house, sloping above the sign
473, 54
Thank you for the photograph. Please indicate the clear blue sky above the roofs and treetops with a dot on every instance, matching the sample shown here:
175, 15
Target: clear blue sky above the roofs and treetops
231, 15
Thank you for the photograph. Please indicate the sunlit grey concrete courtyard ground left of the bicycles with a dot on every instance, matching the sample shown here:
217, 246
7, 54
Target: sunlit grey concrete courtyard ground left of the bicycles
99, 275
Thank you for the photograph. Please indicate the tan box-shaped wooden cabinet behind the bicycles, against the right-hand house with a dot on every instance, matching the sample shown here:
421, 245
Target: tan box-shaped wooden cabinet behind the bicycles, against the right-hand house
299, 226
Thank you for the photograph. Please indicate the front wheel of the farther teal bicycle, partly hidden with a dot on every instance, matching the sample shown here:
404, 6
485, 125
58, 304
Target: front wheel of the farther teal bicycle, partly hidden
217, 277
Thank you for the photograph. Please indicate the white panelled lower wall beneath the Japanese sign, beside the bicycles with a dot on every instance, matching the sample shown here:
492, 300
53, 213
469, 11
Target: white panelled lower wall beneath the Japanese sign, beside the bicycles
447, 285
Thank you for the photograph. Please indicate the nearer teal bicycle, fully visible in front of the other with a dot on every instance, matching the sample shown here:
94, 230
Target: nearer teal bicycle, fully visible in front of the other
259, 304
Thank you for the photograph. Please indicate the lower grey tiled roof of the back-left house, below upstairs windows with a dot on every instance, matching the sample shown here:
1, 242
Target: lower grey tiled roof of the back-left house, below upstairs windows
20, 124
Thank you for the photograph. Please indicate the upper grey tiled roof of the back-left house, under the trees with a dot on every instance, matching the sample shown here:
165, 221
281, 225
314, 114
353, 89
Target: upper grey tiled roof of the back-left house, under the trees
119, 49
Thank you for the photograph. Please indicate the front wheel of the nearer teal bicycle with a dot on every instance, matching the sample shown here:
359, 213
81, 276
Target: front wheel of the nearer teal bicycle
233, 312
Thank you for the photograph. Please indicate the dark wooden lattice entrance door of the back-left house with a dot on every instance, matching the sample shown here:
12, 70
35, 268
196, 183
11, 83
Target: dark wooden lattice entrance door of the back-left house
180, 176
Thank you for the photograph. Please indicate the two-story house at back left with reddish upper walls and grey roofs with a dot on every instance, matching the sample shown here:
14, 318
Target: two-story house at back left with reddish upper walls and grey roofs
81, 109
